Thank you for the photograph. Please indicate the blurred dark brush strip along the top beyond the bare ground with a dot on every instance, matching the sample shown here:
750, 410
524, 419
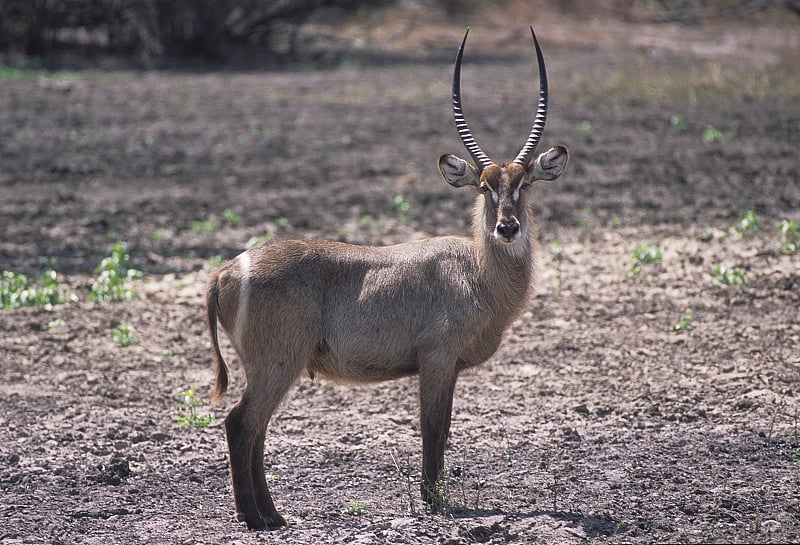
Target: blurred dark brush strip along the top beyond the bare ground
149, 32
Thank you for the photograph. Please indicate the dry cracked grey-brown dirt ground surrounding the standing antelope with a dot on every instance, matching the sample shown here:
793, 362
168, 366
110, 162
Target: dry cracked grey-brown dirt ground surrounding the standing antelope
595, 422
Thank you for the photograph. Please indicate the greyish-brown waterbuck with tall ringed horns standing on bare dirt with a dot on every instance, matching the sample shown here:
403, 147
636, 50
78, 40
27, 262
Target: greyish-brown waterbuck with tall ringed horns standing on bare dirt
363, 314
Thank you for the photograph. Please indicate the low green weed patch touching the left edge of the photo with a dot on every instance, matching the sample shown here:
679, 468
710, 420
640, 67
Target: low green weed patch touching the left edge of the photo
16, 291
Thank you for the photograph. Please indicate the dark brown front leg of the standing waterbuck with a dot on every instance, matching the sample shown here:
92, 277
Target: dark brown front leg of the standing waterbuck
436, 404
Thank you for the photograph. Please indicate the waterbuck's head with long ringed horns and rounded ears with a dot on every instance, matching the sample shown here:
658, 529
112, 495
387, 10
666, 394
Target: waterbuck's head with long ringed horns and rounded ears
504, 186
